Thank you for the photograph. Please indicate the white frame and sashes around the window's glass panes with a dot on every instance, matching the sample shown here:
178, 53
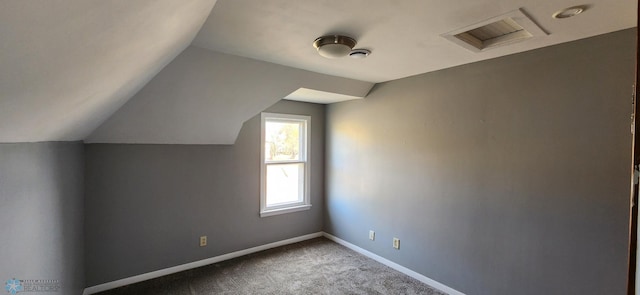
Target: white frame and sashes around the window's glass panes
305, 145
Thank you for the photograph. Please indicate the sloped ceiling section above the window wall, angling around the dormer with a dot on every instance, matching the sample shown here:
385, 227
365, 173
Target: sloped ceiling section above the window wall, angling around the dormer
203, 97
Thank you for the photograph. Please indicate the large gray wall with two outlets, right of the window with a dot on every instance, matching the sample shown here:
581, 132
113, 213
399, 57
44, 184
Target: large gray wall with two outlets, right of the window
508, 176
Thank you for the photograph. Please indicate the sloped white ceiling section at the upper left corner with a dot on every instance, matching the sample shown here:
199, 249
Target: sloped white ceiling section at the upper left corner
67, 65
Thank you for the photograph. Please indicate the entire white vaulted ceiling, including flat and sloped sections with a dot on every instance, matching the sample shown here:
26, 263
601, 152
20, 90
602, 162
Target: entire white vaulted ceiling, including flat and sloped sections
172, 71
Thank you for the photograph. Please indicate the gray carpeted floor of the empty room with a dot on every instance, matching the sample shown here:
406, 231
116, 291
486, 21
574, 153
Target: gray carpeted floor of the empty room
317, 266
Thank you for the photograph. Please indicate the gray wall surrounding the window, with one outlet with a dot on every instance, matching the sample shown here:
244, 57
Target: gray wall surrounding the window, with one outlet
147, 205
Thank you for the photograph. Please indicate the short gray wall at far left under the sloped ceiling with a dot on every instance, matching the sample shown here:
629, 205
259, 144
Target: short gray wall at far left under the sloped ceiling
41, 213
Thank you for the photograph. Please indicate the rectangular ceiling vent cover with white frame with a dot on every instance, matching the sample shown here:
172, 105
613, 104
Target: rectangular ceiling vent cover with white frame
498, 31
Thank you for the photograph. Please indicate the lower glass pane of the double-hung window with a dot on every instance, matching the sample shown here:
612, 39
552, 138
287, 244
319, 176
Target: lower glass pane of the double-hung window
285, 183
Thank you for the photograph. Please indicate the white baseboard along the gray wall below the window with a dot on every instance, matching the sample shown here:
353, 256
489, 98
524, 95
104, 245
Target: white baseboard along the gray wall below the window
195, 264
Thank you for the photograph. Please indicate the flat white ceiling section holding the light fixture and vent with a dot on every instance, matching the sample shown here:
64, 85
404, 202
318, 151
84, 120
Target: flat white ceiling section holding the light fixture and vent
404, 36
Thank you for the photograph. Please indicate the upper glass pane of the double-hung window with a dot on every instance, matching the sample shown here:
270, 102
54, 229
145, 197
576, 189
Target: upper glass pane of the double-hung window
282, 141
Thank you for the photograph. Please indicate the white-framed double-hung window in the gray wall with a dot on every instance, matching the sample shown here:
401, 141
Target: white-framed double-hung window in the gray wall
284, 173
